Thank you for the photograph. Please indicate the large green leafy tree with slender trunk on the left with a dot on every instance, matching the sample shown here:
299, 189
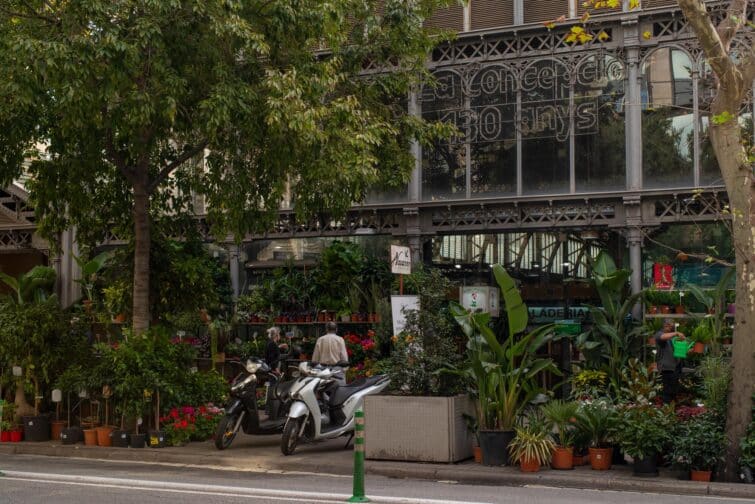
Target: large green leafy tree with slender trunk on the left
140, 103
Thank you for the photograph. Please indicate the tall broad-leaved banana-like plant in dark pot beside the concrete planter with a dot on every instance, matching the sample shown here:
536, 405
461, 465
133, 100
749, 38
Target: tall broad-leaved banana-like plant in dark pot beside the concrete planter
502, 374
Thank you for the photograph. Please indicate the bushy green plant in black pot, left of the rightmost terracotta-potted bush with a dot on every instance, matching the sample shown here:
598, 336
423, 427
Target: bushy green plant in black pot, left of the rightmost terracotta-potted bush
643, 431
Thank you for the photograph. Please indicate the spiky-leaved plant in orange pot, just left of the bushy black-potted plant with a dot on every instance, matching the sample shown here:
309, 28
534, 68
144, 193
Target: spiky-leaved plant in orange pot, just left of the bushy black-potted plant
597, 419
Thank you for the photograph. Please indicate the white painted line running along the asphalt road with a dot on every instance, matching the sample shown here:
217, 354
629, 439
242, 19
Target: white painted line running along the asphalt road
220, 490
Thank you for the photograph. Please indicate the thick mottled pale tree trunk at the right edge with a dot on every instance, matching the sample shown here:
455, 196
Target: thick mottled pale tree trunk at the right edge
737, 175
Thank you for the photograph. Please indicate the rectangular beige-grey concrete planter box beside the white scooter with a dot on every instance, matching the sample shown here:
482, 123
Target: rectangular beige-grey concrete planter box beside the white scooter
417, 429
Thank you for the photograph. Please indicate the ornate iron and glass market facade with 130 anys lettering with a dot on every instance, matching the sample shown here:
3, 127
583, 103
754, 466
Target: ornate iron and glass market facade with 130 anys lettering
562, 150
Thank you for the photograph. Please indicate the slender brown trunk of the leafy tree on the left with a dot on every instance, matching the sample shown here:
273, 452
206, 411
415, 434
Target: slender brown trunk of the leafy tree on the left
141, 257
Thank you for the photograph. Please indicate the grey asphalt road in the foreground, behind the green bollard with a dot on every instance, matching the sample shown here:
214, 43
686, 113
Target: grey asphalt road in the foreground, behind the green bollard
49, 480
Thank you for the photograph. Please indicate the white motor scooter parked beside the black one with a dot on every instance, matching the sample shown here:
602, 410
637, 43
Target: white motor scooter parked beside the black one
321, 409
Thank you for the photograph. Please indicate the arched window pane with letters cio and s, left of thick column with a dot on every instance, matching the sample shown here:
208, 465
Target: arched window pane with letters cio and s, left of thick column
599, 138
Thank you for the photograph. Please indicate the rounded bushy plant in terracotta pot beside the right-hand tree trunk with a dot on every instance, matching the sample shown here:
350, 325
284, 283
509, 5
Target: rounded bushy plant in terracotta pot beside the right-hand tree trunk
699, 445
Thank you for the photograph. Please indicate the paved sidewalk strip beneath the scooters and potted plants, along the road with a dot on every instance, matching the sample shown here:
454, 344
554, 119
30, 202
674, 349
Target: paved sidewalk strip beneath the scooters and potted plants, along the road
262, 453
